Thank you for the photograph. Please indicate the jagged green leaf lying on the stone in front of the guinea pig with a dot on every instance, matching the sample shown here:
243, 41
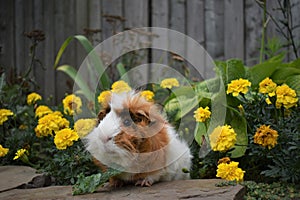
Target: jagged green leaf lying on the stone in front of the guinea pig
89, 184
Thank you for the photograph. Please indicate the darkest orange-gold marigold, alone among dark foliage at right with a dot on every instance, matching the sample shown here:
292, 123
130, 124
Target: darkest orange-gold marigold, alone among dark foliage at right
266, 137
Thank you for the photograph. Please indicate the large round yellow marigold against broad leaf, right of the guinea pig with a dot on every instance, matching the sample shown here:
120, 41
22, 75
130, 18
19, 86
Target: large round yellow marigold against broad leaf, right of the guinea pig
222, 138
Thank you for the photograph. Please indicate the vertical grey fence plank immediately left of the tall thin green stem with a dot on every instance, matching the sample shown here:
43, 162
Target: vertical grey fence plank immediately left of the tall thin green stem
253, 27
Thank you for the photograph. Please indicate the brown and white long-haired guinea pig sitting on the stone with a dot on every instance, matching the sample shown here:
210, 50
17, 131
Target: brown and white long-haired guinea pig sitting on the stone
133, 134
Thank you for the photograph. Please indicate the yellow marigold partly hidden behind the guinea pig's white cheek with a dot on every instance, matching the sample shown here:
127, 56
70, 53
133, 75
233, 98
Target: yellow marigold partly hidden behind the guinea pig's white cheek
84, 126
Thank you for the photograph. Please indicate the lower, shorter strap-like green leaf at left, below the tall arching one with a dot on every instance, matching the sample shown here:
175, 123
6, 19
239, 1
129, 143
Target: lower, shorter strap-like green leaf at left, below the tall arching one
69, 70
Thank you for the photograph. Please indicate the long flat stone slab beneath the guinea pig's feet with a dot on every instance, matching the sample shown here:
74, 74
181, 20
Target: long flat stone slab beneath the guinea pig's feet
183, 189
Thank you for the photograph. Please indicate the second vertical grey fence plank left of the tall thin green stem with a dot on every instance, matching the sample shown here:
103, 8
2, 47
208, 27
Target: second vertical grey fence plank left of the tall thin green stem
234, 29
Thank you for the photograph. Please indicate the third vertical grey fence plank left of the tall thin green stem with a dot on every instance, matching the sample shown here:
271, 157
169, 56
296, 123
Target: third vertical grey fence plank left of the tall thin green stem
214, 28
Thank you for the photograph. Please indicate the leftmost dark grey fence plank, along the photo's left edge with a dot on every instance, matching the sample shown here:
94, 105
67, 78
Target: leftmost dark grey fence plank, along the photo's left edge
7, 49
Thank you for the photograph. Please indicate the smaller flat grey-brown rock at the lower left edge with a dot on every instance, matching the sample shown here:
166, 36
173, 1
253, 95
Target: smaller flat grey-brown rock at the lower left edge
14, 176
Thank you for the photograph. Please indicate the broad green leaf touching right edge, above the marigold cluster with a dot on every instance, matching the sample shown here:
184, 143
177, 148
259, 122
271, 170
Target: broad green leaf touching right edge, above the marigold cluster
282, 74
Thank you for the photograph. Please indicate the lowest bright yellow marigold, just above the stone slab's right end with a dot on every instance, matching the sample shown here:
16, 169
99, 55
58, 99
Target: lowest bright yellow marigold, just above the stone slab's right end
230, 171
